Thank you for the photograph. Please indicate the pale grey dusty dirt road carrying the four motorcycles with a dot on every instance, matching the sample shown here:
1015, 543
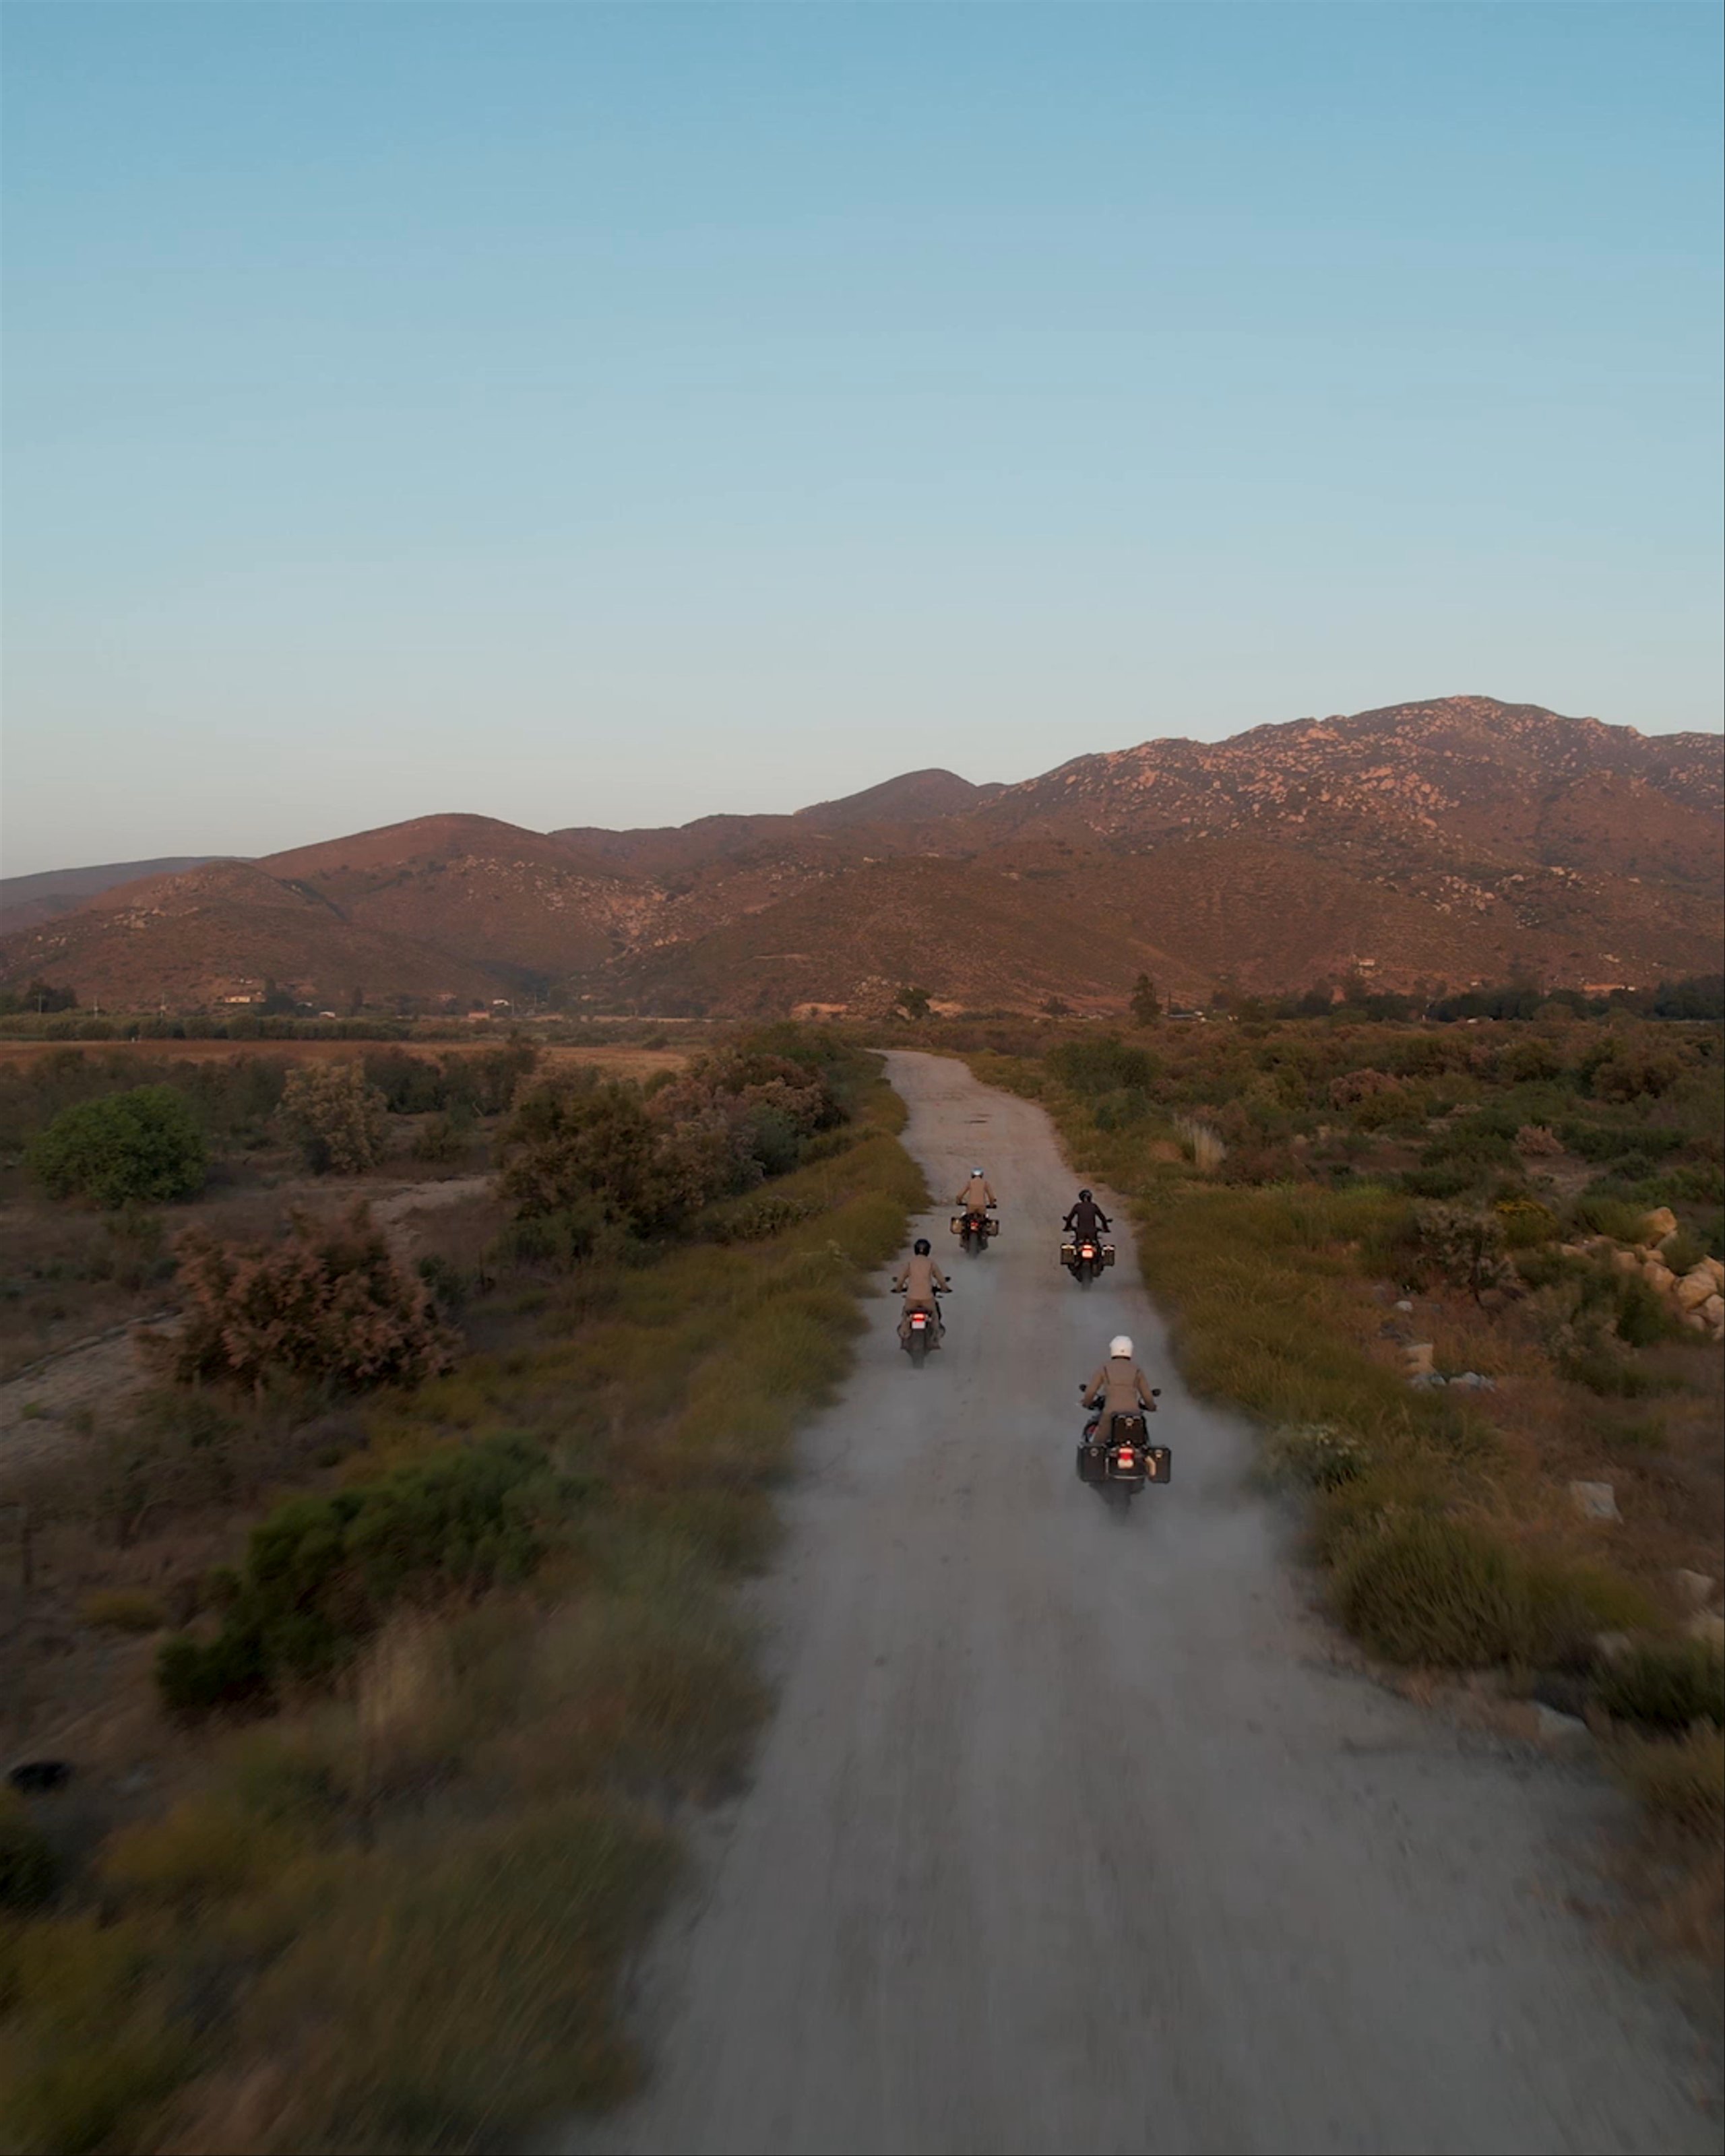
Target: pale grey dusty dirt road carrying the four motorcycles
1068, 1836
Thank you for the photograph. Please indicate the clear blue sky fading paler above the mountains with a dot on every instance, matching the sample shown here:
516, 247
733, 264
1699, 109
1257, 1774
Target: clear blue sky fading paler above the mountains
631, 413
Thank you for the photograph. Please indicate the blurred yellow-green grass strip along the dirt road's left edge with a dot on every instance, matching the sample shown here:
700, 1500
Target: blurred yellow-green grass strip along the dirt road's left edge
394, 1913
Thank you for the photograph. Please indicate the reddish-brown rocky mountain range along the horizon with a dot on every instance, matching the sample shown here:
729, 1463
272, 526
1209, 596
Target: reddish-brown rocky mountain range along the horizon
1446, 842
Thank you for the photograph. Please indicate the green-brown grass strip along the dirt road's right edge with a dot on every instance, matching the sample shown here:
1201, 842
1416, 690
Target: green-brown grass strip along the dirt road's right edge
1441, 1523
